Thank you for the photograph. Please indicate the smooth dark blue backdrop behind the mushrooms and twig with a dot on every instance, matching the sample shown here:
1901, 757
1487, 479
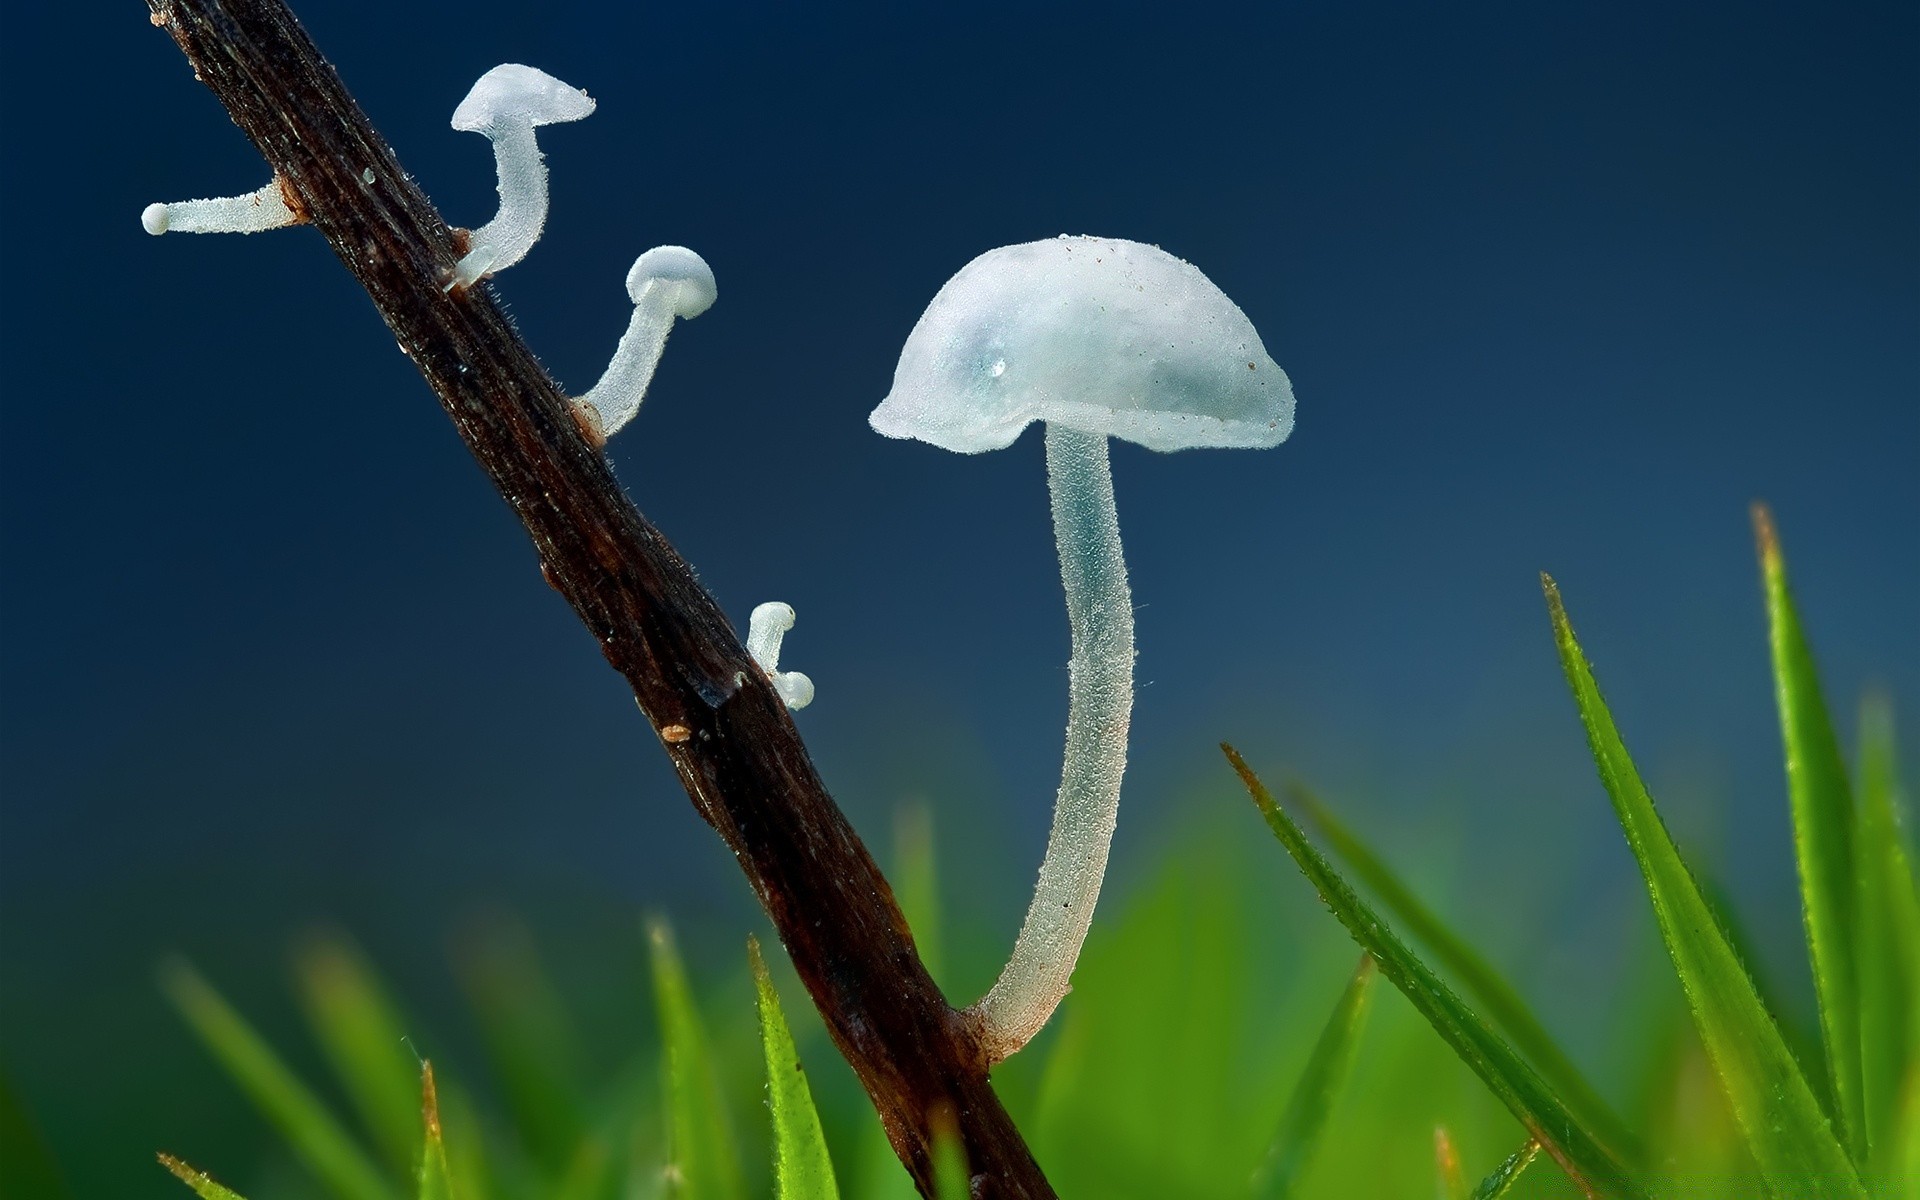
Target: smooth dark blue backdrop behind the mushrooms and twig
1560, 287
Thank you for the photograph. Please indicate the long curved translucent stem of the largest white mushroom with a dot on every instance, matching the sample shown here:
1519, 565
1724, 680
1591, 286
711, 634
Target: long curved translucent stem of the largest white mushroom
1099, 709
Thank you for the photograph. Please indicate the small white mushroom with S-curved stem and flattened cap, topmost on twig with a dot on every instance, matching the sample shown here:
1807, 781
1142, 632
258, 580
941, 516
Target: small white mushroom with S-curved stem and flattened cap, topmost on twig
508, 105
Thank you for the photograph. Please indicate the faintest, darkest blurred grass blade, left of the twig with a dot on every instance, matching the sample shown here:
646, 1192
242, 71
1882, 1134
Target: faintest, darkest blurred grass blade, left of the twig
529, 1040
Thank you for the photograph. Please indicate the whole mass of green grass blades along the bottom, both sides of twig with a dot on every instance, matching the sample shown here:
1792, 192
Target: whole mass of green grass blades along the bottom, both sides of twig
1197, 1055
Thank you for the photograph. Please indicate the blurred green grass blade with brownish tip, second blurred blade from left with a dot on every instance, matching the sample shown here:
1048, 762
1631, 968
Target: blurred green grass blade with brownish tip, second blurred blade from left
364, 1042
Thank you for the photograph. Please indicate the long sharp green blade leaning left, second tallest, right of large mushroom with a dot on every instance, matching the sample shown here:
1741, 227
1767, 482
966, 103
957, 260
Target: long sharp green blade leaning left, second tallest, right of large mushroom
1777, 1111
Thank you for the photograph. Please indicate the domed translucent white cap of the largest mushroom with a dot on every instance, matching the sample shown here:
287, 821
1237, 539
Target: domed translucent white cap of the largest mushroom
1099, 335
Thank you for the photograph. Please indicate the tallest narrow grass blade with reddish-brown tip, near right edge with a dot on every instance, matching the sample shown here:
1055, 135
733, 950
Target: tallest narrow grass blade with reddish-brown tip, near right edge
1823, 834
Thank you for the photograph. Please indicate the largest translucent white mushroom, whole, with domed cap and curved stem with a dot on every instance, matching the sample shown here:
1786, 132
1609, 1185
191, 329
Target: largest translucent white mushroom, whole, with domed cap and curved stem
1099, 339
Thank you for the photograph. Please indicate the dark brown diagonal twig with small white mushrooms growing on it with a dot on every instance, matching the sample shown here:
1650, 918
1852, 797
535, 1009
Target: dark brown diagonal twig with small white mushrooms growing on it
729, 734
